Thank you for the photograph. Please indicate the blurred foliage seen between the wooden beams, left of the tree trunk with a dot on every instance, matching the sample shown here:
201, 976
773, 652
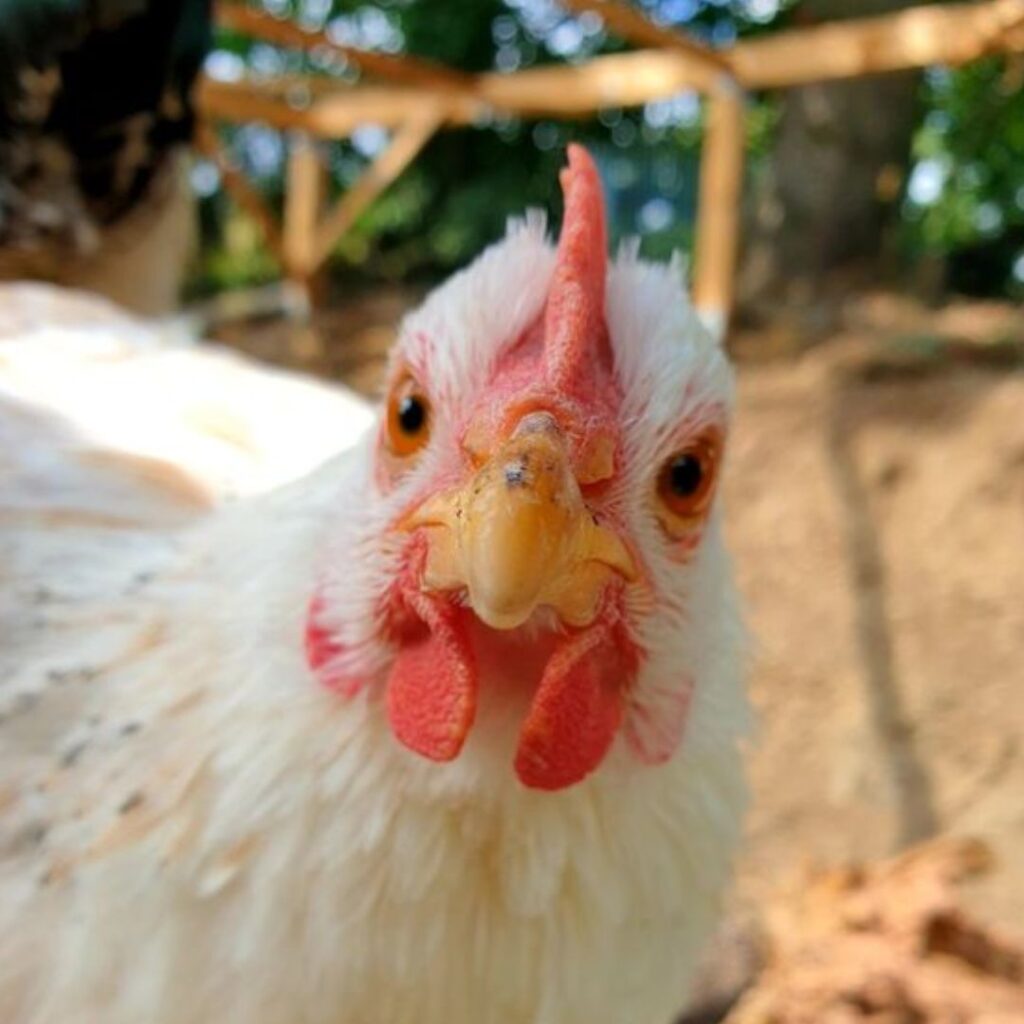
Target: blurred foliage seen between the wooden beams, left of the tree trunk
463, 188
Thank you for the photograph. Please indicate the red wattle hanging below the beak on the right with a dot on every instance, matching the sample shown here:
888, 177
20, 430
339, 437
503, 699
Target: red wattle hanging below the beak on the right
576, 713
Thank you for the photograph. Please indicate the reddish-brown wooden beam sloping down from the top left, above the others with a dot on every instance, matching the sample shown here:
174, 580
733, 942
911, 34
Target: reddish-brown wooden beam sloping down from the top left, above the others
406, 70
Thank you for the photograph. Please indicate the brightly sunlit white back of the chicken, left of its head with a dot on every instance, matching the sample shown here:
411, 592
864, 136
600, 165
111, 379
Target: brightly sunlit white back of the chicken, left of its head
152, 404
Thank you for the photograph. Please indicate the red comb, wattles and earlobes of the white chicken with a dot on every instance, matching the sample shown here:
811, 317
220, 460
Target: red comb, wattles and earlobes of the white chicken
563, 365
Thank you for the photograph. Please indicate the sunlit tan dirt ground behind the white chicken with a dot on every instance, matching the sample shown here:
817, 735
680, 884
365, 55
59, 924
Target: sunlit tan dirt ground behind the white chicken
876, 510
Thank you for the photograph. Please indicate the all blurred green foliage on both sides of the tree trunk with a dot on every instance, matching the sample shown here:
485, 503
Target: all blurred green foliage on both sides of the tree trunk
458, 195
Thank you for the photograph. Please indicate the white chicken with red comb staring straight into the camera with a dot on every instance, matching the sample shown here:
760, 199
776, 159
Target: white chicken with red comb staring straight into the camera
446, 732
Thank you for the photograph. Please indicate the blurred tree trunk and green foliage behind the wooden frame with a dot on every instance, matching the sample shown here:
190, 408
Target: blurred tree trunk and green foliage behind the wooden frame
919, 176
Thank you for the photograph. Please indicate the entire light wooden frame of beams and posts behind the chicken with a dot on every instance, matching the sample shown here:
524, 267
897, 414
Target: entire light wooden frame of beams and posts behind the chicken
418, 98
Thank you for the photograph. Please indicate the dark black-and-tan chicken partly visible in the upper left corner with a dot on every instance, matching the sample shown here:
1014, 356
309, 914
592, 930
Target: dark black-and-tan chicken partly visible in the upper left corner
96, 120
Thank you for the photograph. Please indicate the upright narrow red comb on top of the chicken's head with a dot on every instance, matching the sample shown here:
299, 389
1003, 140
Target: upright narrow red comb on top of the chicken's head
575, 316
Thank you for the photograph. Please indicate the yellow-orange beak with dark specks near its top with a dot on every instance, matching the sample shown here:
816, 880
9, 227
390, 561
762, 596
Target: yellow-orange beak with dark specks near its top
519, 536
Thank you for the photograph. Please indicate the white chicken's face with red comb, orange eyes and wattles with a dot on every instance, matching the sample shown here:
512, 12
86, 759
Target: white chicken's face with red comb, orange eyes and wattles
544, 482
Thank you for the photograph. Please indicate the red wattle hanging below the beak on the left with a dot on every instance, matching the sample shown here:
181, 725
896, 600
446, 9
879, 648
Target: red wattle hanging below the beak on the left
432, 693
